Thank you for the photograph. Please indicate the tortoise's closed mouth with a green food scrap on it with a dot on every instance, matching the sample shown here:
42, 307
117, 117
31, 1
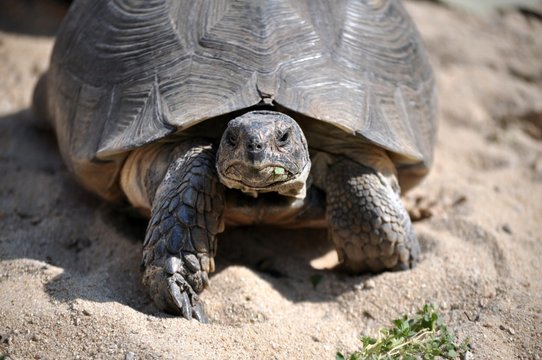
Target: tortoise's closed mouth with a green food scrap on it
258, 177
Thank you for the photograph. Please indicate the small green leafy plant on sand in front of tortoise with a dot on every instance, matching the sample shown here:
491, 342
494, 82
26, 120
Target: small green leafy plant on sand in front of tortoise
424, 336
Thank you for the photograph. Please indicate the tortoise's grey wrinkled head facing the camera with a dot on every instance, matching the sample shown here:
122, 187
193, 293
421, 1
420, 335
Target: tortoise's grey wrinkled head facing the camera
264, 151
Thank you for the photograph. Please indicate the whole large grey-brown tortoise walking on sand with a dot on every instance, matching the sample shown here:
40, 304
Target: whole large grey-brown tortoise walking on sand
206, 114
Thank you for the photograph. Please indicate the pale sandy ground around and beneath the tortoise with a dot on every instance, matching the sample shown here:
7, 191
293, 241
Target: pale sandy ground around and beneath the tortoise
69, 262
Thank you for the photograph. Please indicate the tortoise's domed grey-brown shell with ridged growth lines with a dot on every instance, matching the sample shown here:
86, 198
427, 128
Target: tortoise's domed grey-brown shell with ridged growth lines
125, 73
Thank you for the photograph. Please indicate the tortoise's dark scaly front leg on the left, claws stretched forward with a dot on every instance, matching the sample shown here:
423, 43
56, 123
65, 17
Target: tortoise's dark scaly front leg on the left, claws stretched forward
180, 242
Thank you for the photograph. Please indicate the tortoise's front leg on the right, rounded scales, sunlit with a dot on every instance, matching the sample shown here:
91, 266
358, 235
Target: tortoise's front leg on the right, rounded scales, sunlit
368, 223
